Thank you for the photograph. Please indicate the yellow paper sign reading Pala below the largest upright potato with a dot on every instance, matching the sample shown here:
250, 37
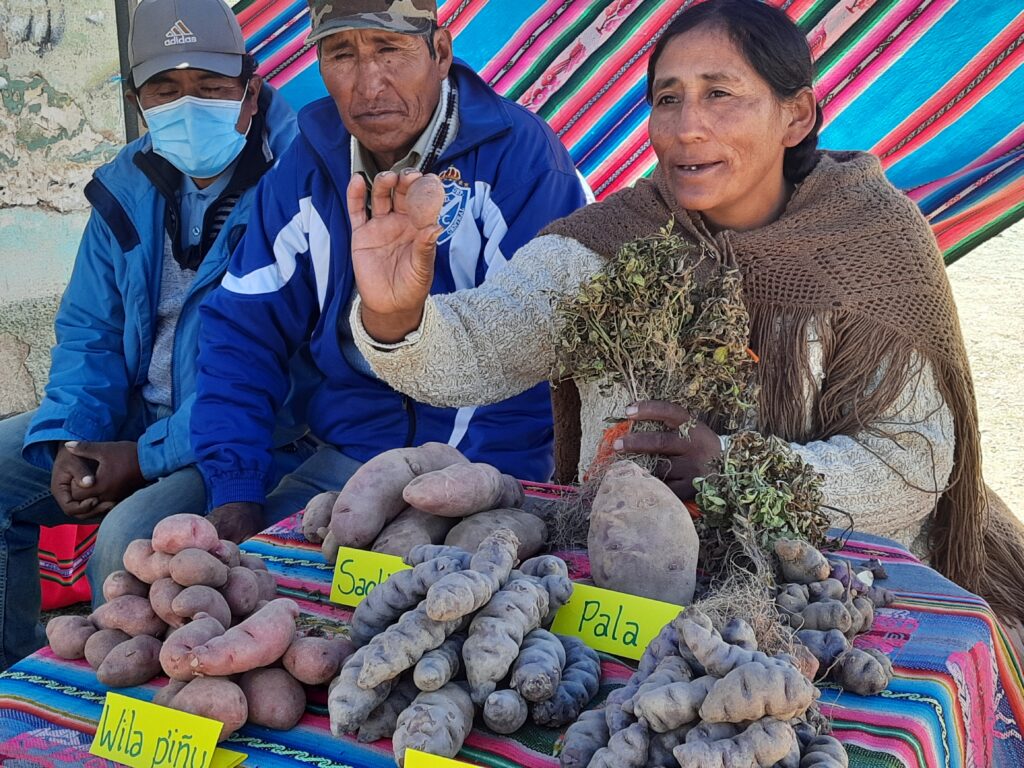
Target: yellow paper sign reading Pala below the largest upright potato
613, 622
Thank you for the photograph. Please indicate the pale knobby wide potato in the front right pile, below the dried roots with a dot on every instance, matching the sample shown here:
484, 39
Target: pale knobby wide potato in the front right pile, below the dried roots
756, 691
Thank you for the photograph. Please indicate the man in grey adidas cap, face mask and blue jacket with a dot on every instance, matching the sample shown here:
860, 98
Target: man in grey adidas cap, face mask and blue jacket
110, 442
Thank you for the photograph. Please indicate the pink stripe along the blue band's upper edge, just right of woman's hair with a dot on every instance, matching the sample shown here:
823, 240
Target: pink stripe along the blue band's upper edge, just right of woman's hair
858, 79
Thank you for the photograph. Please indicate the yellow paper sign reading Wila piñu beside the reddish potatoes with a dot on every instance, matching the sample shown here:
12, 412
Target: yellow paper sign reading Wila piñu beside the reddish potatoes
142, 735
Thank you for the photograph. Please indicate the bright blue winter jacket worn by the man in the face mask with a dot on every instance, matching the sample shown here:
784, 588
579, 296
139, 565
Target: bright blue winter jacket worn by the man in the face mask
106, 325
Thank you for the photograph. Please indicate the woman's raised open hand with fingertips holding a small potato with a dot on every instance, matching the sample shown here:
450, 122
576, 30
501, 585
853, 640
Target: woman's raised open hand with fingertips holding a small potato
394, 249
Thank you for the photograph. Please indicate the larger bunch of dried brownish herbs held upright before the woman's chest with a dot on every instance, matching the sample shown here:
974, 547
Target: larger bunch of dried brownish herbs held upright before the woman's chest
665, 321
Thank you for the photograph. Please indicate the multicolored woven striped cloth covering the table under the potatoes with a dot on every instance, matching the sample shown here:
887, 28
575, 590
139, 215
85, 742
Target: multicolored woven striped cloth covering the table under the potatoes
957, 701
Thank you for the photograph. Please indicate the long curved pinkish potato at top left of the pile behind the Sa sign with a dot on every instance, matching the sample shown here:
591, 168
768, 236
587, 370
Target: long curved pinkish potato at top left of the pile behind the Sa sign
373, 495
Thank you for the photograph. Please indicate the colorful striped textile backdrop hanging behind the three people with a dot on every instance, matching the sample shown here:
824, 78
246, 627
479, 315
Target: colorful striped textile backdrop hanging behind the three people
933, 88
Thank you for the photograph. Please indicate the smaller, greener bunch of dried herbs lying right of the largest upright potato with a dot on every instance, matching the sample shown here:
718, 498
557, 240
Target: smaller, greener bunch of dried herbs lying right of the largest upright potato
759, 491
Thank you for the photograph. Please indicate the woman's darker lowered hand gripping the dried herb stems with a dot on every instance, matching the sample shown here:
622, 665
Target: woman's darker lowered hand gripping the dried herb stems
684, 458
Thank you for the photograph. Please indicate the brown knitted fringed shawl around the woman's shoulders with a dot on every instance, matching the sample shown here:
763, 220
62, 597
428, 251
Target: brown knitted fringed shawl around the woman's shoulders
855, 254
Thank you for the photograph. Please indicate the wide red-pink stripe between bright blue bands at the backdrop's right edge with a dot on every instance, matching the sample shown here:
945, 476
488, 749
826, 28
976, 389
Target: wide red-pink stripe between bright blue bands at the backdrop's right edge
978, 67
